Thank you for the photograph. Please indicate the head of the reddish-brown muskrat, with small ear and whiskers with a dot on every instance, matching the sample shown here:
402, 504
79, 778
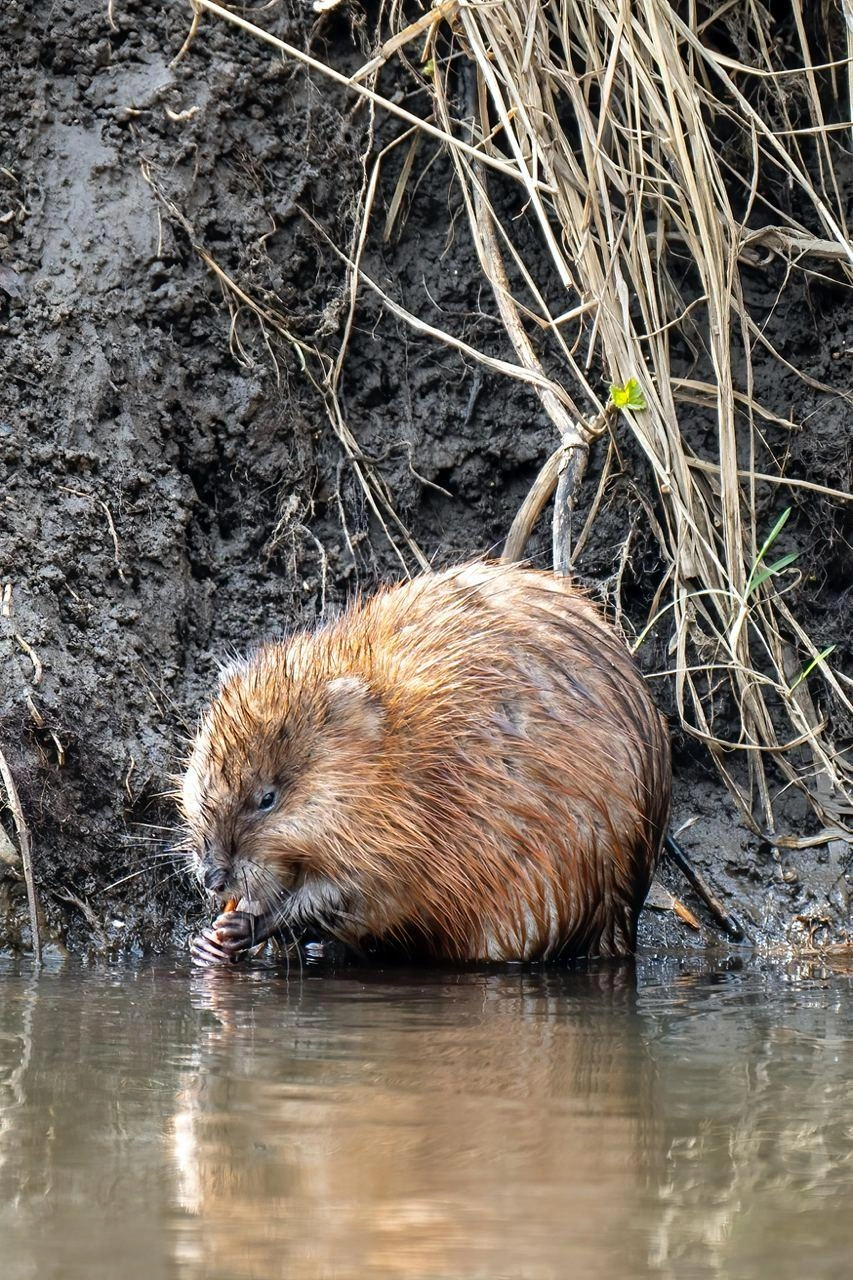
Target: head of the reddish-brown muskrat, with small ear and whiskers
276, 776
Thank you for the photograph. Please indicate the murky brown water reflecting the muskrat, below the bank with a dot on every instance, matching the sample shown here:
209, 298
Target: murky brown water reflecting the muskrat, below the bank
161, 1123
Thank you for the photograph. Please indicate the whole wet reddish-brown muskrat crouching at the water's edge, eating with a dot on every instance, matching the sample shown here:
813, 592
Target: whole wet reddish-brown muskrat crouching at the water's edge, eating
467, 766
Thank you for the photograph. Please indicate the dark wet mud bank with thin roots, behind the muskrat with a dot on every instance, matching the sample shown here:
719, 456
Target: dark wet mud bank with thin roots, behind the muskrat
175, 488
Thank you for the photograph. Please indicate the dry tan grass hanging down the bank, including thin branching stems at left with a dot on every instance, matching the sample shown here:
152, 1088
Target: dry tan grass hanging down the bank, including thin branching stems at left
610, 118
